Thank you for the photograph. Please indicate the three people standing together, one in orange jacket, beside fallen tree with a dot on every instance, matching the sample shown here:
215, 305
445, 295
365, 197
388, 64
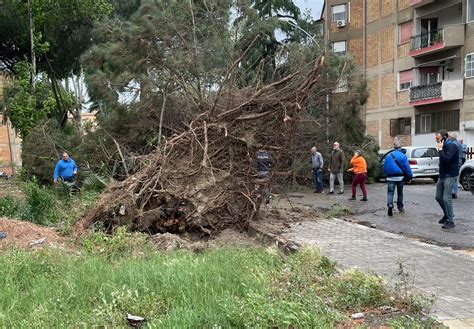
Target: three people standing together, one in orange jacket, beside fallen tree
336, 167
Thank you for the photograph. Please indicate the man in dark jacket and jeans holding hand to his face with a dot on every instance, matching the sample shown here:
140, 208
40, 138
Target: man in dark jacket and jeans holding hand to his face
448, 171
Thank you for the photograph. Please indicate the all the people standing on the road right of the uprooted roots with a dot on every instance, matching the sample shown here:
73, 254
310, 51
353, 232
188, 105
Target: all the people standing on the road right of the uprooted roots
452, 154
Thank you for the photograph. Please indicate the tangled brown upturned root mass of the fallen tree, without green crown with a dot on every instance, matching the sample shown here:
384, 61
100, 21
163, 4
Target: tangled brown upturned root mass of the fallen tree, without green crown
204, 179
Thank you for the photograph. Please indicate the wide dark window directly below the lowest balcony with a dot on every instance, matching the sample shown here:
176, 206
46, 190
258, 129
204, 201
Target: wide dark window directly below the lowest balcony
429, 123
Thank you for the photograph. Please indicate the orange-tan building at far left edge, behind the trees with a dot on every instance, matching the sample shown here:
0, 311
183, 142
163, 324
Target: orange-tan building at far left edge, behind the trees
10, 143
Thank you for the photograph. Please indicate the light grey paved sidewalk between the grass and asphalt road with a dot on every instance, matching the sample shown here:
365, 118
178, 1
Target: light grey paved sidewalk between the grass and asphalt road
434, 270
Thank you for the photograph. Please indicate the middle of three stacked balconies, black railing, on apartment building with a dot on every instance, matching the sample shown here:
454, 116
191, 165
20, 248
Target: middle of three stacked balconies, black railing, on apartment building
449, 36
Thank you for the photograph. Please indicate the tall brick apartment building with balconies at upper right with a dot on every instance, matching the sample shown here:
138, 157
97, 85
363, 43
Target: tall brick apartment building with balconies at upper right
418, 58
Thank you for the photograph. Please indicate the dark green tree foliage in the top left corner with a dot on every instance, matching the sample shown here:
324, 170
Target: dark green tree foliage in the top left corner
62, 32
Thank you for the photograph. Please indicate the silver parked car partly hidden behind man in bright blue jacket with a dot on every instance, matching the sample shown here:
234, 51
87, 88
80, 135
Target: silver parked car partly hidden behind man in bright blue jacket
423, 160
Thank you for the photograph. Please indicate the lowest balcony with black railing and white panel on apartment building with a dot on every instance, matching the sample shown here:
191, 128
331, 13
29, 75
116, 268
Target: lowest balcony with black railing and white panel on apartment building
444, 91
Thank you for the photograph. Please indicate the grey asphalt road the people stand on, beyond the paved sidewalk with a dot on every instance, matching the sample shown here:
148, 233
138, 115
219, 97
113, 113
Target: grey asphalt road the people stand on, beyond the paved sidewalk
420, 220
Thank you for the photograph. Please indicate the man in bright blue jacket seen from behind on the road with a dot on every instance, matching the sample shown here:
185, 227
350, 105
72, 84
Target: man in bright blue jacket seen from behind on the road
396, 168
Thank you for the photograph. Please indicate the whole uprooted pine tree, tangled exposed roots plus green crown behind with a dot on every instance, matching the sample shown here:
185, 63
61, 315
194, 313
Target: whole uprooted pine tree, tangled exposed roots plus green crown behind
184, 62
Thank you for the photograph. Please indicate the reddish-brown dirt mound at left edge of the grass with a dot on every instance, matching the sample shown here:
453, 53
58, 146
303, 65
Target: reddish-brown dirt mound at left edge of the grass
27, 235
